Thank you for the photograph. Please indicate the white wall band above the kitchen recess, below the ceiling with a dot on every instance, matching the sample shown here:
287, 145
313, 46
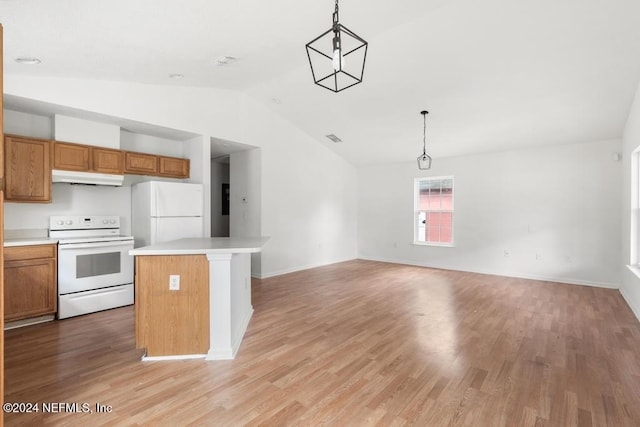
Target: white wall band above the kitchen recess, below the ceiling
194, 109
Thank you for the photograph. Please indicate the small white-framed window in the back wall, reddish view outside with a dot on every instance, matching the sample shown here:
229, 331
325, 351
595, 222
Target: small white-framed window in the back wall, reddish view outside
433, 217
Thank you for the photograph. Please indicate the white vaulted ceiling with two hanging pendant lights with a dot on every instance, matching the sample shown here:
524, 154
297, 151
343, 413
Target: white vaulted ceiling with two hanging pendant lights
494, 75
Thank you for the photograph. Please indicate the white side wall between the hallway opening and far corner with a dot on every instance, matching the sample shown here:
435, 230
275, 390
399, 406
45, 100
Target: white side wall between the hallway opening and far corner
308, 197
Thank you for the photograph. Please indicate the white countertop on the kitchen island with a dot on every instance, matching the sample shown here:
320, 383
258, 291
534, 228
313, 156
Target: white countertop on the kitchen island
203, 246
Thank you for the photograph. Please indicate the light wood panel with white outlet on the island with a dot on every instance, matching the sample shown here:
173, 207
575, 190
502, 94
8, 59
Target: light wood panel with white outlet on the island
172, 322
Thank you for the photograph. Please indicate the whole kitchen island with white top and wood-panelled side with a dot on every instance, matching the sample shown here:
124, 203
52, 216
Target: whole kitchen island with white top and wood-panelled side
193, 296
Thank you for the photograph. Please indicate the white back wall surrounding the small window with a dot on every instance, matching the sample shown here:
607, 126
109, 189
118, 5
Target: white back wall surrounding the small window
561, 203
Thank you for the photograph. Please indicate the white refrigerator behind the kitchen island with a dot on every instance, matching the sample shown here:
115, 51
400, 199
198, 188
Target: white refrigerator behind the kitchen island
163, 211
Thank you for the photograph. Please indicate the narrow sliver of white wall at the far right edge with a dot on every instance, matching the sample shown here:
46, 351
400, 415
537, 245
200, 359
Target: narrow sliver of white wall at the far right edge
630, 288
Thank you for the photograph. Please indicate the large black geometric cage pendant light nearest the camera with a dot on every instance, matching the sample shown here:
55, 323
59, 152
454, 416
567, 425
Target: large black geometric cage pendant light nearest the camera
337, 57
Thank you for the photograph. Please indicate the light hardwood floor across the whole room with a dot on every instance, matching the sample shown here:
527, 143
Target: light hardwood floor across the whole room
357, 343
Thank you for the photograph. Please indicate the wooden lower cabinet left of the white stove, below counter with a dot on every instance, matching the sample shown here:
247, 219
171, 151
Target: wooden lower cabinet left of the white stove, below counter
30, 279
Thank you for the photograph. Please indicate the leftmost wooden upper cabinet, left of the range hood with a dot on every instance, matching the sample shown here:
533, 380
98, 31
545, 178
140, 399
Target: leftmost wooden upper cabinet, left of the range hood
27, 169
